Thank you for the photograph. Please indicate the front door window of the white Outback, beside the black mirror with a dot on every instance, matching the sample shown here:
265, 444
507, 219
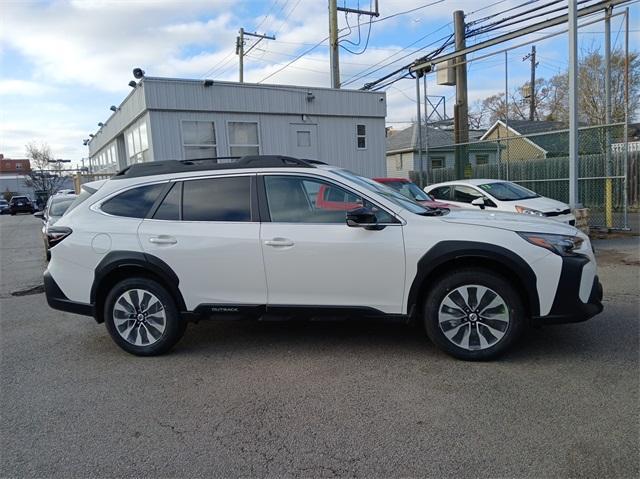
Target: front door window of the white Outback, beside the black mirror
293, 199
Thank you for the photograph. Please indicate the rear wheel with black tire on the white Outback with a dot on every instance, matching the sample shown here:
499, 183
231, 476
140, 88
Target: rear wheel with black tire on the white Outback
174, 325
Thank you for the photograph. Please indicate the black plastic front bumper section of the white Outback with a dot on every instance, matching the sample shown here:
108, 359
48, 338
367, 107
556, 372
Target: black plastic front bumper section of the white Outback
567, 306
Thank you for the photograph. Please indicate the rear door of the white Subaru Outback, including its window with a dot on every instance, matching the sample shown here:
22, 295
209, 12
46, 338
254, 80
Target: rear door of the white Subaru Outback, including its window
207, 231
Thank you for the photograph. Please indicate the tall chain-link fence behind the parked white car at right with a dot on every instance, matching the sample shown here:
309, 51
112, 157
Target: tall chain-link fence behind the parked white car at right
608, 170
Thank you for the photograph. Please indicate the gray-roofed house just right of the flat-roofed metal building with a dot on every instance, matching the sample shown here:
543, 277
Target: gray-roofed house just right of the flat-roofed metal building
439, 148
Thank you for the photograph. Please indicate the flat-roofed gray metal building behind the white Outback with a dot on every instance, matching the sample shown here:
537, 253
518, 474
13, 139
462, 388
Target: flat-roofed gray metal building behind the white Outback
164, 119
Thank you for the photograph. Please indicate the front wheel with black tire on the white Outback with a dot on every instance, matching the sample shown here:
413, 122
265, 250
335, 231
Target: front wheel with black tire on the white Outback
481, 344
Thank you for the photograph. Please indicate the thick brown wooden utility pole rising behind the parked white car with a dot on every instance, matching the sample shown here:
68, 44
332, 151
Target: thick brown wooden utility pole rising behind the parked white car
461, 108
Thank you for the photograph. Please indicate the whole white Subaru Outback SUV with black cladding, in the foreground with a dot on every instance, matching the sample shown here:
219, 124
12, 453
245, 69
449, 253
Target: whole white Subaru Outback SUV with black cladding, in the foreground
268, 237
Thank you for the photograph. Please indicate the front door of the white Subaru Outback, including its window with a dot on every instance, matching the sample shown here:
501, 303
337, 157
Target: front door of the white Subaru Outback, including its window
311, 256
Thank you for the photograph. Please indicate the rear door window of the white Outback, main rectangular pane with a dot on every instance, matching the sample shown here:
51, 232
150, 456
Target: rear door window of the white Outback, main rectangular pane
217, 199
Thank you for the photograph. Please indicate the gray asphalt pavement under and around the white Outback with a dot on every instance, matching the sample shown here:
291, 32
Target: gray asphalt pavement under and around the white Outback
330, 399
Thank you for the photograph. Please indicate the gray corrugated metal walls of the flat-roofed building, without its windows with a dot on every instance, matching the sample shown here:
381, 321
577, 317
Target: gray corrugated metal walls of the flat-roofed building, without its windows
335, 112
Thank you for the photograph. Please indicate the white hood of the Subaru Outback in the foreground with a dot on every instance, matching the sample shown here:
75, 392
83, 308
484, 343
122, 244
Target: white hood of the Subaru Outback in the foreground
508, 221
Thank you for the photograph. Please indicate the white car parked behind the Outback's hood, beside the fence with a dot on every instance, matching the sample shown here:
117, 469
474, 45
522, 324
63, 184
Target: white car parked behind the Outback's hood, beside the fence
500, 195
